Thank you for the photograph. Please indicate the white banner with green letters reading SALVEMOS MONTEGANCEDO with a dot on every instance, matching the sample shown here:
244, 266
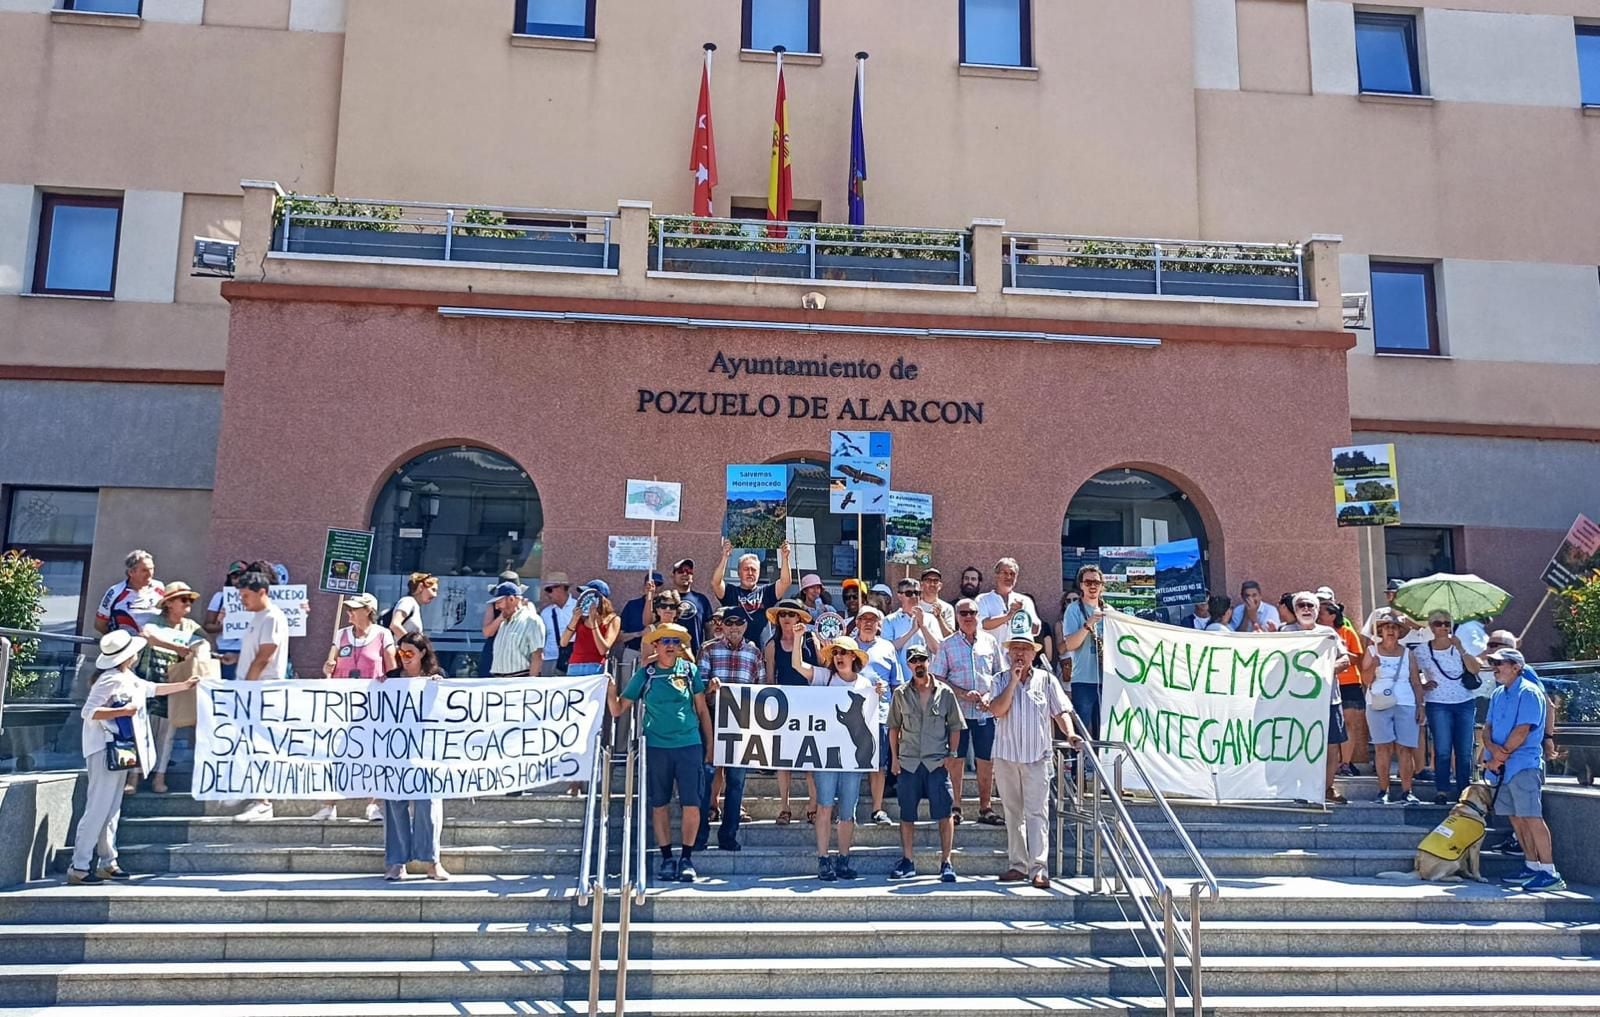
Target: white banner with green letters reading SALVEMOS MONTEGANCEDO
1220, 714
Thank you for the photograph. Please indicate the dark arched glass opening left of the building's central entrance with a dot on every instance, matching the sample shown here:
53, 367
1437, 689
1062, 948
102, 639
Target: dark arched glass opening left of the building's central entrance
463, 514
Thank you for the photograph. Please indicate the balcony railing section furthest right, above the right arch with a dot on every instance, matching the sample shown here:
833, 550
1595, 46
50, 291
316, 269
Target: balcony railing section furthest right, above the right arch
1156, 268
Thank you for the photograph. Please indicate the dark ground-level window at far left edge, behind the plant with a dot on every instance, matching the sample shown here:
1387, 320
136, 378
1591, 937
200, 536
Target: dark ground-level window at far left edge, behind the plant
58, 530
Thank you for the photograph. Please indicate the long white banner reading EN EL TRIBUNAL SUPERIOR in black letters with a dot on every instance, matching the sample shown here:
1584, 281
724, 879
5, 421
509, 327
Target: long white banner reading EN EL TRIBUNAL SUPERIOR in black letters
406, 738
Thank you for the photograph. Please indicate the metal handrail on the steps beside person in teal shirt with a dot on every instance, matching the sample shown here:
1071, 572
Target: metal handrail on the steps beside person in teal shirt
634, 872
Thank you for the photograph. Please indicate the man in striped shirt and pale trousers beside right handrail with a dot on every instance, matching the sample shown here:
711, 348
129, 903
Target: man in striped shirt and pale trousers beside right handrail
1026, 704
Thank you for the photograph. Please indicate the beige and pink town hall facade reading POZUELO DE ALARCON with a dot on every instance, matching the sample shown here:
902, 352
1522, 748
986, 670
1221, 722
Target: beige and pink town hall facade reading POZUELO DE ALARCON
1449, 143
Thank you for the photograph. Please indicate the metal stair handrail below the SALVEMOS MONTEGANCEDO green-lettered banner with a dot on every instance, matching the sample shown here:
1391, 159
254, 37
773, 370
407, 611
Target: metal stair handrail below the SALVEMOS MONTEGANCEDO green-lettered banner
1094, 800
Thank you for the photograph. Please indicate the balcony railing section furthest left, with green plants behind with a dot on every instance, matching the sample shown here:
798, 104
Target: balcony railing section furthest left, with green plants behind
495, 234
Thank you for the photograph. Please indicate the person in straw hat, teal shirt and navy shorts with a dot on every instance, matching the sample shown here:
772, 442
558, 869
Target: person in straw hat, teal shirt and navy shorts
678, 741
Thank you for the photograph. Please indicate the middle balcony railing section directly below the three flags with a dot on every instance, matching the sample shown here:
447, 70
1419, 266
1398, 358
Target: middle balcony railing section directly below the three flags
810, 252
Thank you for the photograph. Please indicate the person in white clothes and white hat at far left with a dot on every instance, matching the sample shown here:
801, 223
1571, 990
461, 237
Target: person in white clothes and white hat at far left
116, 730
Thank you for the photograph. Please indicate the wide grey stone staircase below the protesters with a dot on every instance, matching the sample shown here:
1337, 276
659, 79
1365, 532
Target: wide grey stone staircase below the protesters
289, 917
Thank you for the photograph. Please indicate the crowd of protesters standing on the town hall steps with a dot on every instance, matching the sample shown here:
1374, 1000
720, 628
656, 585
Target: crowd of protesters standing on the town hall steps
982, 677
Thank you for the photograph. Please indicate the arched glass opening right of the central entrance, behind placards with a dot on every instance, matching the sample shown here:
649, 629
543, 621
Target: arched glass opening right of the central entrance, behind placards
1148, 519
